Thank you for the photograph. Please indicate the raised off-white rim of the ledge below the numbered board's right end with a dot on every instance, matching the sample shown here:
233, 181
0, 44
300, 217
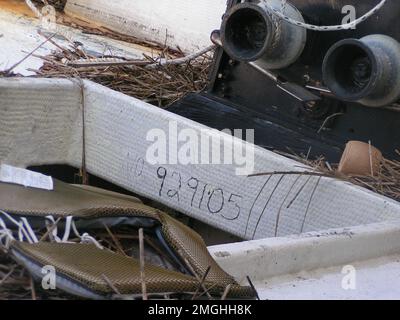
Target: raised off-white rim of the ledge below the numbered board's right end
275, 257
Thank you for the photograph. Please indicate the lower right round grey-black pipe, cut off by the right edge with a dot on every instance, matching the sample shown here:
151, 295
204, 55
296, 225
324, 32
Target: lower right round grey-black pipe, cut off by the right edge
366, 71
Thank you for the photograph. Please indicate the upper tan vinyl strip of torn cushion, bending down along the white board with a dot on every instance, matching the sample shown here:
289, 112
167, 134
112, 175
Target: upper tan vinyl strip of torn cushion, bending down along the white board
91, 203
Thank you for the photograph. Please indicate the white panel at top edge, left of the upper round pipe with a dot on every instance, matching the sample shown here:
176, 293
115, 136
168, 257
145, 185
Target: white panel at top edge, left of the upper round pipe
188, 23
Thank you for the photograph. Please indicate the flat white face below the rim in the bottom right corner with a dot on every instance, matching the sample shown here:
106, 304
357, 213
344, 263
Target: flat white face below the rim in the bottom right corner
377, 279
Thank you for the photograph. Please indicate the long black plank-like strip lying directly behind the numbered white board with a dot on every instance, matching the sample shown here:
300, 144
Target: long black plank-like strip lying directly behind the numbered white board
269, 135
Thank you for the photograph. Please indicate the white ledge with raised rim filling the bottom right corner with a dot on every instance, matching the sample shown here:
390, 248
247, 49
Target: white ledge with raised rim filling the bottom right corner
339, 264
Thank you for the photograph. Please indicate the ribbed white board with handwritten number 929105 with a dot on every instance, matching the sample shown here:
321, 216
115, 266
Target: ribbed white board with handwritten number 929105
41, 123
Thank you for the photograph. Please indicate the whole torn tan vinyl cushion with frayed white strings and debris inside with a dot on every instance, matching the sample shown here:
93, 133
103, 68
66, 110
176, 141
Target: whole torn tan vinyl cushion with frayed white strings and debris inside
126, 249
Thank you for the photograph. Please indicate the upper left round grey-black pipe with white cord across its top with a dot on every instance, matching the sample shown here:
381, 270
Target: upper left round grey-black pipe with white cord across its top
250, 32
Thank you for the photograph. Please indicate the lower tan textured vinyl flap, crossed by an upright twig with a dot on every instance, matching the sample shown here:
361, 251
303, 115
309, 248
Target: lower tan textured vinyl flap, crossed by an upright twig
87, 265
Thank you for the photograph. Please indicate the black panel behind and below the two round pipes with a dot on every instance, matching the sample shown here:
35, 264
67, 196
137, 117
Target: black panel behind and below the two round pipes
282, 122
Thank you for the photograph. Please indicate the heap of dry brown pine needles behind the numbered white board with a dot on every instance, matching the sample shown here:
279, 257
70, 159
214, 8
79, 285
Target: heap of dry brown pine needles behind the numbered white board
159, 80
